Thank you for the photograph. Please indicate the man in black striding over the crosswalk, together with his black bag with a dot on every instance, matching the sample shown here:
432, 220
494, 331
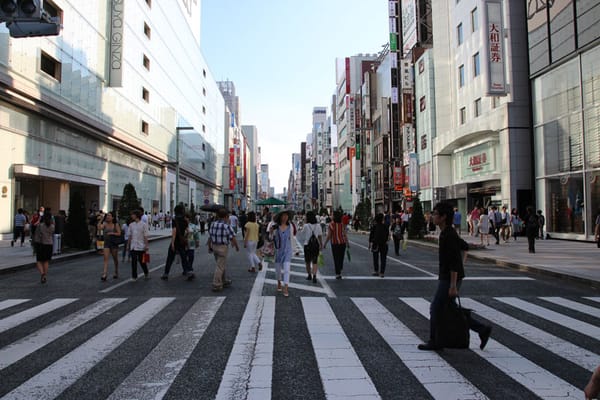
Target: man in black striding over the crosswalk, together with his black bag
444, 310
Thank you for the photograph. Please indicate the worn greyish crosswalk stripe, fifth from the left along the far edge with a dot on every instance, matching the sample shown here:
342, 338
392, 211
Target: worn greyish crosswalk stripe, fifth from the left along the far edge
153, 377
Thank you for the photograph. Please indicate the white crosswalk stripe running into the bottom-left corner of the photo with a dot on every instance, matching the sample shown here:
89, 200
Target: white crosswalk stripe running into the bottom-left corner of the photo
55, 379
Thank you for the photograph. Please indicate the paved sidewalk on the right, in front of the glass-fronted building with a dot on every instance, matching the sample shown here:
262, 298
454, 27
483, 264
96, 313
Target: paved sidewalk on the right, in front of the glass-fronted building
578, 261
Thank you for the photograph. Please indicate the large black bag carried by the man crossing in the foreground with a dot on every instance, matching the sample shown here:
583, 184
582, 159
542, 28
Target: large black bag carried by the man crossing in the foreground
452, 330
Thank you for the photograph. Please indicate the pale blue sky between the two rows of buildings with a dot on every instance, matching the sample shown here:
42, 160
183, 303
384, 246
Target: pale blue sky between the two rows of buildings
281, 57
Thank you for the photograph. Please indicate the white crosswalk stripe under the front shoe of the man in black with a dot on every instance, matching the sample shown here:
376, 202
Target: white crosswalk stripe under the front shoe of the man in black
438, 377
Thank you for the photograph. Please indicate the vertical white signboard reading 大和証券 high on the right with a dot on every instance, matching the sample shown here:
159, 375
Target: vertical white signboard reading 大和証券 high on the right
494, 43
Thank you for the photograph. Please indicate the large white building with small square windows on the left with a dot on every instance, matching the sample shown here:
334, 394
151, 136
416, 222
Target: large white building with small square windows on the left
68, 125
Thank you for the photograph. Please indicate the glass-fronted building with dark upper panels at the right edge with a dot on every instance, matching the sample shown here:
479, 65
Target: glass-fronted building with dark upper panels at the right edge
564, 51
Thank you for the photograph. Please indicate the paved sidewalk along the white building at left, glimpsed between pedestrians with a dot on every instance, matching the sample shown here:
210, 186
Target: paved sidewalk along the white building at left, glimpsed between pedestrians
17, 257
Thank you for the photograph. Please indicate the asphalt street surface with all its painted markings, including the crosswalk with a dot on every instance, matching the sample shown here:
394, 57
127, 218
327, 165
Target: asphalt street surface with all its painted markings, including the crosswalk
79, 338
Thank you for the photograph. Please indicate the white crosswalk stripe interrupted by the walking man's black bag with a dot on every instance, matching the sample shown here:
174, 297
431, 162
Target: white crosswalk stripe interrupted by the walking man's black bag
533, 377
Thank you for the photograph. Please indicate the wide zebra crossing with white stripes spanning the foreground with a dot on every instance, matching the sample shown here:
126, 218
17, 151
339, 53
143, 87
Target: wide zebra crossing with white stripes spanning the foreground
541, 347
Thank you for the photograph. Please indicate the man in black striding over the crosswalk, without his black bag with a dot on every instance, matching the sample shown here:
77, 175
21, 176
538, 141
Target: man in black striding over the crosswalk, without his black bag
451, 272
